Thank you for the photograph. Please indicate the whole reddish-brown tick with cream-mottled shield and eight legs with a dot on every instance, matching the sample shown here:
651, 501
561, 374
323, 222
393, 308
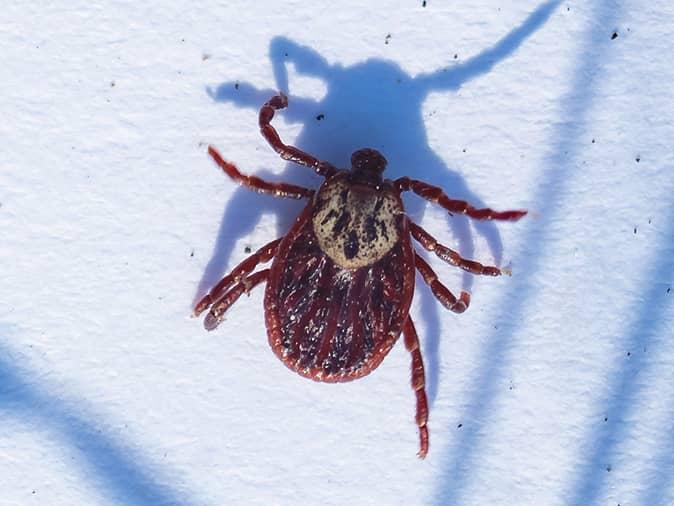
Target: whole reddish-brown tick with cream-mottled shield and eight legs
341, 281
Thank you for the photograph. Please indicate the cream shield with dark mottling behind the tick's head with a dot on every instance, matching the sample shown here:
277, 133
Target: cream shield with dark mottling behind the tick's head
355, 224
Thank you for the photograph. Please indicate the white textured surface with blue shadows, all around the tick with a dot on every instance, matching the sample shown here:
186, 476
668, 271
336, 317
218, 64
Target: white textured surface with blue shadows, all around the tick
113, 220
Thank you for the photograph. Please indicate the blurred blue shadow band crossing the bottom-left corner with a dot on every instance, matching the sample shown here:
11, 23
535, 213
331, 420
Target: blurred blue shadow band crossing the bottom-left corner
113, 467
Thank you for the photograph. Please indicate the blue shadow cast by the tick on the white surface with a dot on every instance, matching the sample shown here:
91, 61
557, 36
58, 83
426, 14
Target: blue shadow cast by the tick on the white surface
370, 104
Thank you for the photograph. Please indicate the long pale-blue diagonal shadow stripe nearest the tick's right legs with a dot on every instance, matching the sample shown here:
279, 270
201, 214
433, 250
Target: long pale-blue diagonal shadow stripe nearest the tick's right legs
549, 198
